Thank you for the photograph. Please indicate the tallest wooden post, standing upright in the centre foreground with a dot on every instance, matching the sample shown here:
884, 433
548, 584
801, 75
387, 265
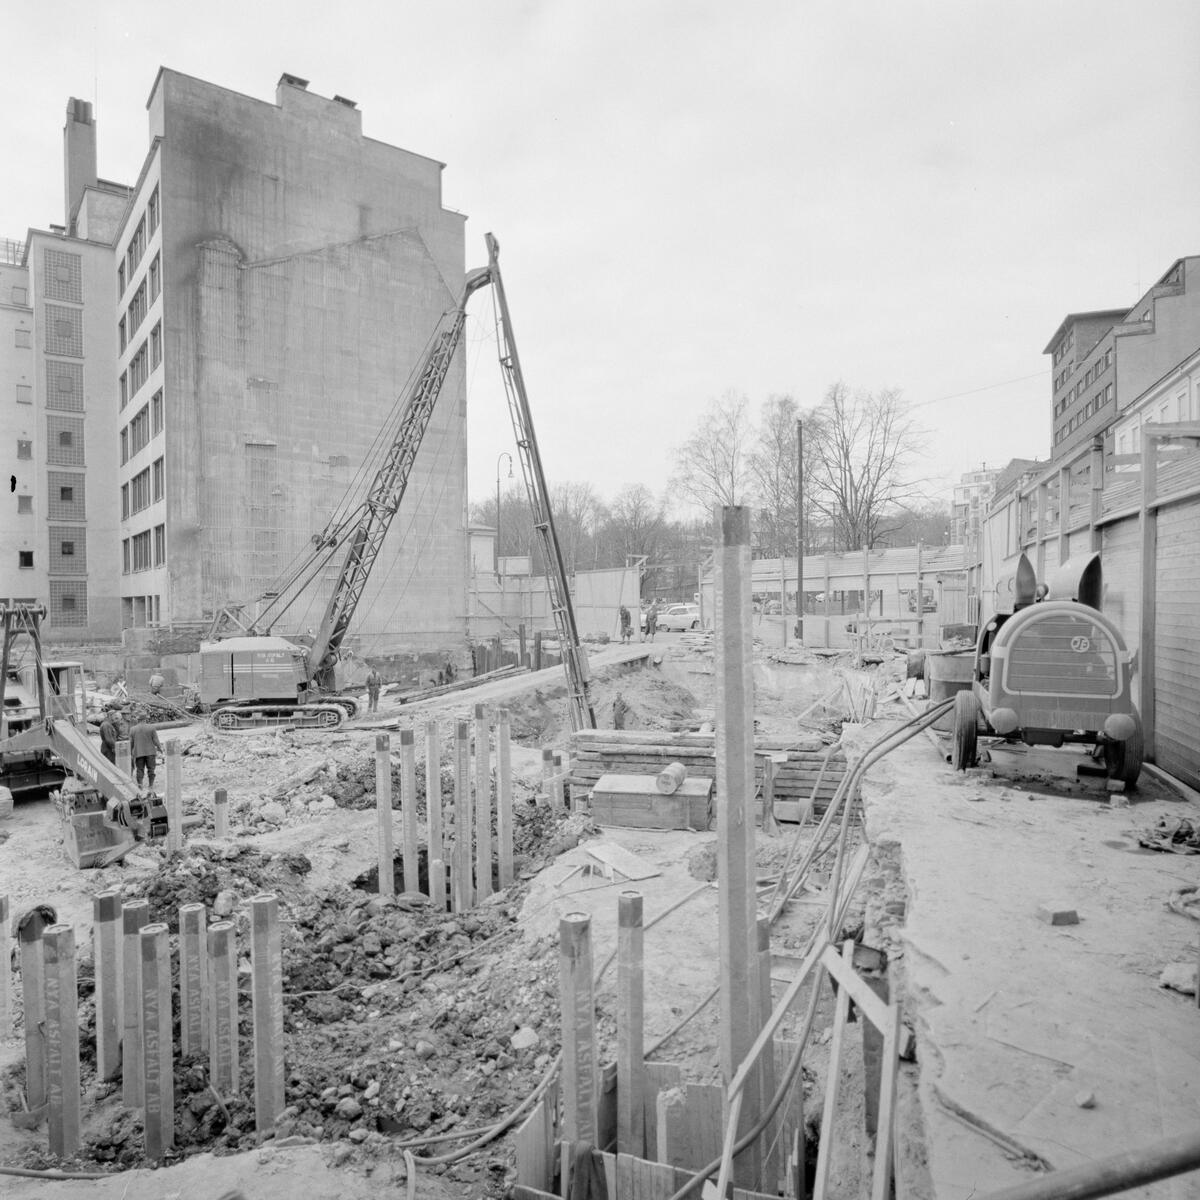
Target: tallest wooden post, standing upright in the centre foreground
741, 1012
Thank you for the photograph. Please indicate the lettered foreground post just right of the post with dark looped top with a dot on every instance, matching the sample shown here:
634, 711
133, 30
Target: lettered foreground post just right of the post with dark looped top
62, 1001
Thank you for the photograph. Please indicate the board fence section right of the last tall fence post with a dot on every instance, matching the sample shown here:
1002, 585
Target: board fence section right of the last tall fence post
1178, 643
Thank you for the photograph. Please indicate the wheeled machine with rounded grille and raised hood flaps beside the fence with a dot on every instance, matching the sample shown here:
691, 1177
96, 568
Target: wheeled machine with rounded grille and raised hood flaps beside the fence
1051, 669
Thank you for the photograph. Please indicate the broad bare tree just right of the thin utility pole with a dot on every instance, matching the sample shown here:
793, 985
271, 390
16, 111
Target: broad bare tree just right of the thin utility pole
862, 446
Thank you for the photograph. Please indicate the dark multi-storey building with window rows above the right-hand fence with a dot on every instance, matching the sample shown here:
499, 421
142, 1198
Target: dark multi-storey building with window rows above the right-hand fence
1105, 361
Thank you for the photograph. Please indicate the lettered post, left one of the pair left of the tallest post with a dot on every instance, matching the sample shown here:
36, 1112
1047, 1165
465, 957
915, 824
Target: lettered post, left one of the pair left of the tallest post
580, 1061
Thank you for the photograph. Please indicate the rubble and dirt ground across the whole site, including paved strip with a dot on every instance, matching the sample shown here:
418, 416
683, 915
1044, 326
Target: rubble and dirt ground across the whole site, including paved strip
407, 1029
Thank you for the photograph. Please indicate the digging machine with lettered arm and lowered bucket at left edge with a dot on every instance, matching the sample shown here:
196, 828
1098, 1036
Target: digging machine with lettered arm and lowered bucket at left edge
45, 743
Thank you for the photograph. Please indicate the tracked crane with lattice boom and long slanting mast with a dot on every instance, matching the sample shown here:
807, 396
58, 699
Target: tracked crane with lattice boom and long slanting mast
251, 677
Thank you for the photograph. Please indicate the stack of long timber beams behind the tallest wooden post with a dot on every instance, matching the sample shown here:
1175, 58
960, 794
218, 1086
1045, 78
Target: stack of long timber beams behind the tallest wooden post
596, 753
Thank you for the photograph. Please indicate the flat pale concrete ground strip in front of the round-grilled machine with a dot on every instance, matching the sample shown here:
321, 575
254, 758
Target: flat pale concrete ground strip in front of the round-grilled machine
1015, 1017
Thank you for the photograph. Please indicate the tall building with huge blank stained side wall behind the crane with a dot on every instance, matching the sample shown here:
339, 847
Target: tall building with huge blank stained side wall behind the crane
279, 279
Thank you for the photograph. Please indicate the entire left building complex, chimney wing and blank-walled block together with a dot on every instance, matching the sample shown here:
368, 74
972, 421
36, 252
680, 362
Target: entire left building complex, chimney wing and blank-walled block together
196, 369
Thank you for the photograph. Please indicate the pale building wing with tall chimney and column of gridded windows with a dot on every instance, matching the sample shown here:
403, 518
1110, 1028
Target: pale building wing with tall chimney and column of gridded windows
57, 362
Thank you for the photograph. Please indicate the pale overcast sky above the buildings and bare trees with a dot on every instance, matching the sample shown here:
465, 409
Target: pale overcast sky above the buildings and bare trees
695, 197
